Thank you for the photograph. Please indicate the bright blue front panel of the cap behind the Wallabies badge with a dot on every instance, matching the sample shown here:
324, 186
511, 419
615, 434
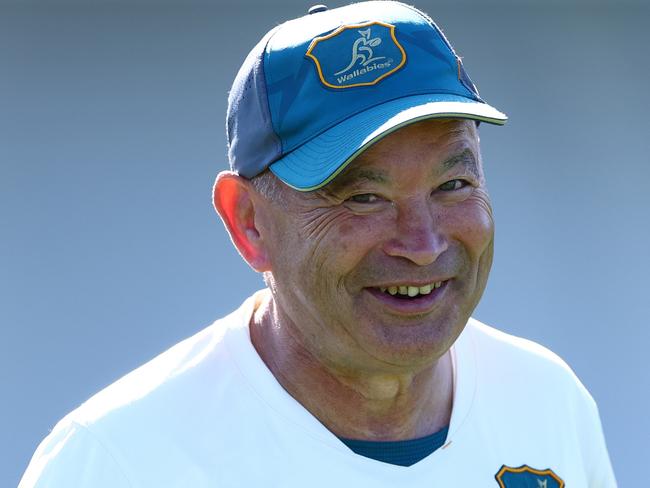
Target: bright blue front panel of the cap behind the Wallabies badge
302, 104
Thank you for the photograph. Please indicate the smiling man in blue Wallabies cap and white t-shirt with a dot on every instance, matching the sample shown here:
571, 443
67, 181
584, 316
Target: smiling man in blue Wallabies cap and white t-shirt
357, 189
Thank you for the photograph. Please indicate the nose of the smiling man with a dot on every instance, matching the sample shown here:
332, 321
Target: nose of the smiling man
417, 236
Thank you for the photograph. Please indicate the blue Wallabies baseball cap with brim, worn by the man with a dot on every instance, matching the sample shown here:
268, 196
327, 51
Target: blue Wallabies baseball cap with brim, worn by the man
318, 90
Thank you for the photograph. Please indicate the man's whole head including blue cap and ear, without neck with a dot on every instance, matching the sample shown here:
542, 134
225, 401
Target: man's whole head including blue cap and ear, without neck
375, 232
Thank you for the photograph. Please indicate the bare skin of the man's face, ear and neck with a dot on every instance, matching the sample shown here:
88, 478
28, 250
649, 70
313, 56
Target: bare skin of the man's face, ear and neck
411, 209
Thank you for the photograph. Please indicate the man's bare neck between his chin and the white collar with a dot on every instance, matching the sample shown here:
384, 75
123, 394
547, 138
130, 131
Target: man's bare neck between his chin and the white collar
357, 404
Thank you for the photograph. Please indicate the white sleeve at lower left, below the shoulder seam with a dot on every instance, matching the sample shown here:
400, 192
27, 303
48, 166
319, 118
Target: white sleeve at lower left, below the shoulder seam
72, 456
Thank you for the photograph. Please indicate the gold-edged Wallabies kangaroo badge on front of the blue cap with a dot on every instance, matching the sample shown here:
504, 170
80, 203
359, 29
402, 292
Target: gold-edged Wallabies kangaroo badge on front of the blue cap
357, 55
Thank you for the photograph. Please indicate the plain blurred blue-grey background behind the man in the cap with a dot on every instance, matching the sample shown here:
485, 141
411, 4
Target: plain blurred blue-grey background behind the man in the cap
112, 130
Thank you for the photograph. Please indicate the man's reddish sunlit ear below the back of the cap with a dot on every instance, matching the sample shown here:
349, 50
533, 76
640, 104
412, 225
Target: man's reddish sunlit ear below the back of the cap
233, 200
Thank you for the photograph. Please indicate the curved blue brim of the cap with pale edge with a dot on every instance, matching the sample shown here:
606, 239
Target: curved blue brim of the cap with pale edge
318, 161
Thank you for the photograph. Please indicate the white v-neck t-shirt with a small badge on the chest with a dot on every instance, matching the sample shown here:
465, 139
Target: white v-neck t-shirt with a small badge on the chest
209, 413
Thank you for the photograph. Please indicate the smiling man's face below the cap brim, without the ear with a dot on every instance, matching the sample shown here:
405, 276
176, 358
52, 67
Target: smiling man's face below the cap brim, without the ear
410, 214
